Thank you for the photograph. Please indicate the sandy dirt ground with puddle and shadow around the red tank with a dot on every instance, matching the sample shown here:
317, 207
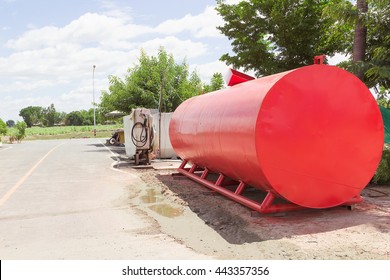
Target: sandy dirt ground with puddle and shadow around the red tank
216, 226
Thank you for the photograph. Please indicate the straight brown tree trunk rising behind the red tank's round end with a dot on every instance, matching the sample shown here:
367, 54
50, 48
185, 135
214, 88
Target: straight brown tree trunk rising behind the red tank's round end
360, 38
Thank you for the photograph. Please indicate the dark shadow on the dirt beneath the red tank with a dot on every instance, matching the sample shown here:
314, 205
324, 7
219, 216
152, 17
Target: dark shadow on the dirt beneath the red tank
238, 224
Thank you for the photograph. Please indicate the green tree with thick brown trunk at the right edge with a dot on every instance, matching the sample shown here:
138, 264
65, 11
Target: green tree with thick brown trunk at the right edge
369, 48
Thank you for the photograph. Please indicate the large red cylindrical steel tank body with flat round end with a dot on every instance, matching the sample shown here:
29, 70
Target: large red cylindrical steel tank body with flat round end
313, 135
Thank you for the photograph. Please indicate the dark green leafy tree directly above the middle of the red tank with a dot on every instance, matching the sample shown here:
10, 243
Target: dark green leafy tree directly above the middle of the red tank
270, 36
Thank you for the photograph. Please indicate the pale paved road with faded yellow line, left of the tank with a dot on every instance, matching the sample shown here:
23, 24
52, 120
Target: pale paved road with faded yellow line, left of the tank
63, 200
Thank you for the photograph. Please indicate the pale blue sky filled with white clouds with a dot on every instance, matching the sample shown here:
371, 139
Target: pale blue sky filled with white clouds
48, 47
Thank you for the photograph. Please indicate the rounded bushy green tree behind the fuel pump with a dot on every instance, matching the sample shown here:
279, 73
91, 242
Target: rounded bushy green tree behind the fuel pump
155, 82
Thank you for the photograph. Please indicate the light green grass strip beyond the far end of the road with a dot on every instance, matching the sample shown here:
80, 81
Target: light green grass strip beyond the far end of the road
68, 132
